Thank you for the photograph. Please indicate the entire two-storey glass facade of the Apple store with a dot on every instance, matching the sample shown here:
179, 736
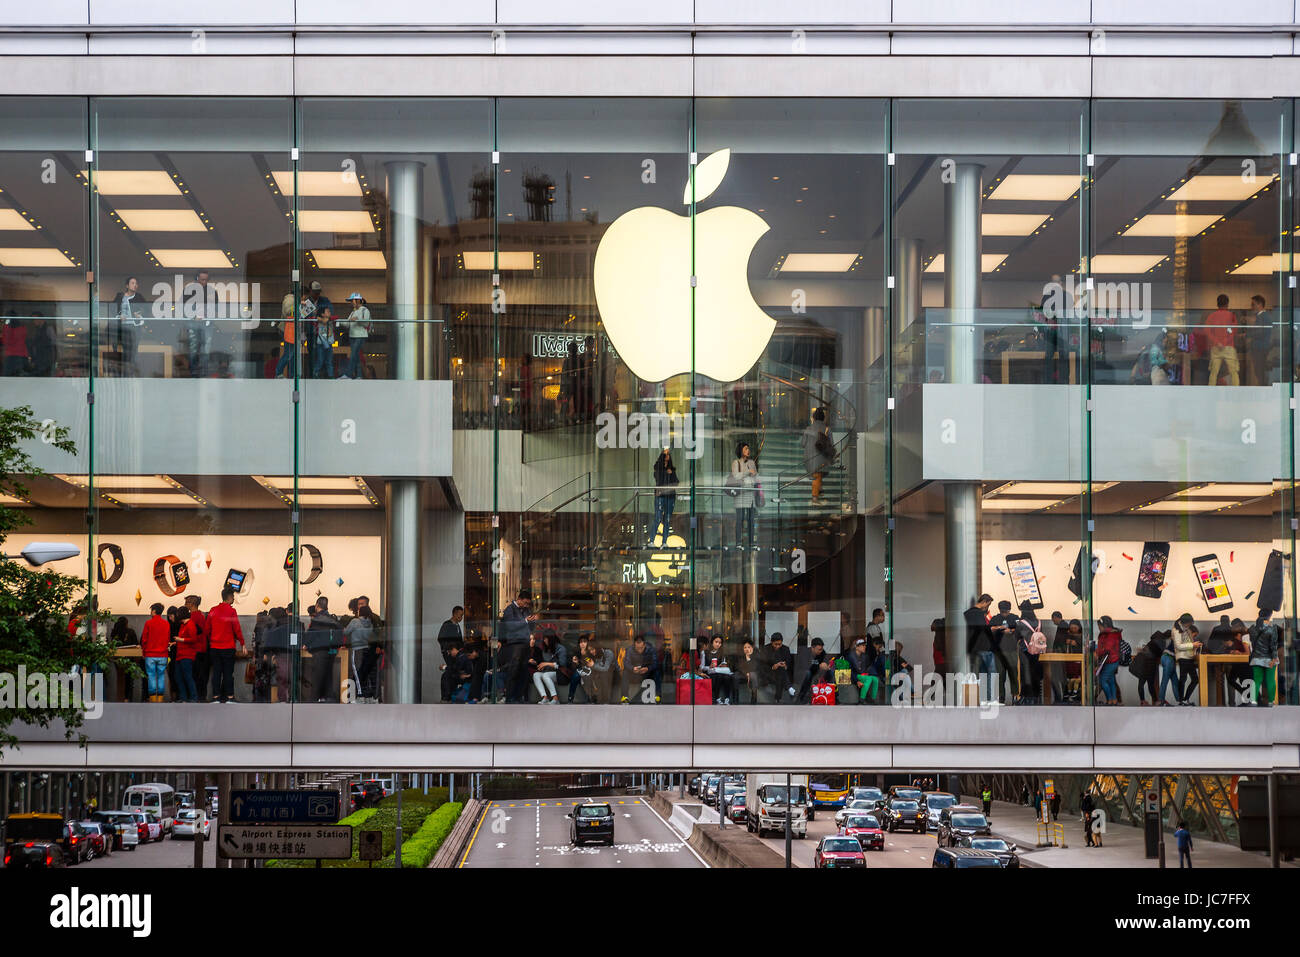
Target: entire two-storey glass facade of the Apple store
690, 374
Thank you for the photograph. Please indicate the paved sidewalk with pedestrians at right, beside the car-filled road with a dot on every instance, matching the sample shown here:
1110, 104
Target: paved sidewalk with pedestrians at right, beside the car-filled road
1124, 845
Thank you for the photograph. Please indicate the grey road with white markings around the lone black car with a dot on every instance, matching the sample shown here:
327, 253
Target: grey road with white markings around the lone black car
536, 834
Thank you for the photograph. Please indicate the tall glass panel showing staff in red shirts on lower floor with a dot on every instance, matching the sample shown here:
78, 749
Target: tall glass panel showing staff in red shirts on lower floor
193, 261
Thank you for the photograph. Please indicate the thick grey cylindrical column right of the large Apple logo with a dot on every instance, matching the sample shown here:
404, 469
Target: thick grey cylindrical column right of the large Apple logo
963, 201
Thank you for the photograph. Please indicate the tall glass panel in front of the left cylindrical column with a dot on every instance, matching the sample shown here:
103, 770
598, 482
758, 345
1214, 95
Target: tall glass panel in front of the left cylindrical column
396, 237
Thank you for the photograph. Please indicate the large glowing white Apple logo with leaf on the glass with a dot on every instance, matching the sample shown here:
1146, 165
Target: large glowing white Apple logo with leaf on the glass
643, 287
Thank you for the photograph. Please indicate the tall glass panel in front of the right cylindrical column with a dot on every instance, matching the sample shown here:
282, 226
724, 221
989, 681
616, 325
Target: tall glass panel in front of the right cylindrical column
989, 354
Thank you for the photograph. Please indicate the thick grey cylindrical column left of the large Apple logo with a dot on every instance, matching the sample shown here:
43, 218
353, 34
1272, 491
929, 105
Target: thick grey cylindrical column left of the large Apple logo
402, 562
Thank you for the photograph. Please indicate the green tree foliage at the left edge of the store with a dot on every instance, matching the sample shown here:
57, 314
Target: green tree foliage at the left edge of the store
34, 604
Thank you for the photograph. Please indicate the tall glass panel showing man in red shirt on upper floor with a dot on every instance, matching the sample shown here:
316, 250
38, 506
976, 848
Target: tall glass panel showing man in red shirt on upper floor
1189, 503
